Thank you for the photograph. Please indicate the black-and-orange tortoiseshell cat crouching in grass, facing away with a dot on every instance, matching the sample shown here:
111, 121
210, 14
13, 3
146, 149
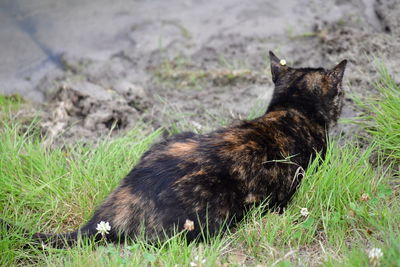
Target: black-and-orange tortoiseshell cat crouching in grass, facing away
214, 178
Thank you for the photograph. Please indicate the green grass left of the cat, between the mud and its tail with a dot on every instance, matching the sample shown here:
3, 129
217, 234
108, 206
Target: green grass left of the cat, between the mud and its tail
54, 189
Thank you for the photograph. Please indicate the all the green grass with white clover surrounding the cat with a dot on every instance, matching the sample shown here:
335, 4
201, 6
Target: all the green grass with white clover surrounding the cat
351, 197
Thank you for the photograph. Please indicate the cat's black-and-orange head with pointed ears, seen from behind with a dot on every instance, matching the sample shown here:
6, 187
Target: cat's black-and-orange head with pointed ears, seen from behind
316, 91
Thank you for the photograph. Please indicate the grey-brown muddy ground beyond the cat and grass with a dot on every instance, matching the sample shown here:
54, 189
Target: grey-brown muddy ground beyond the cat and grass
181, 64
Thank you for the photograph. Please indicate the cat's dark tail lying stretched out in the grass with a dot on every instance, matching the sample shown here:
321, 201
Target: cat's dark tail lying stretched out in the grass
63, 240
